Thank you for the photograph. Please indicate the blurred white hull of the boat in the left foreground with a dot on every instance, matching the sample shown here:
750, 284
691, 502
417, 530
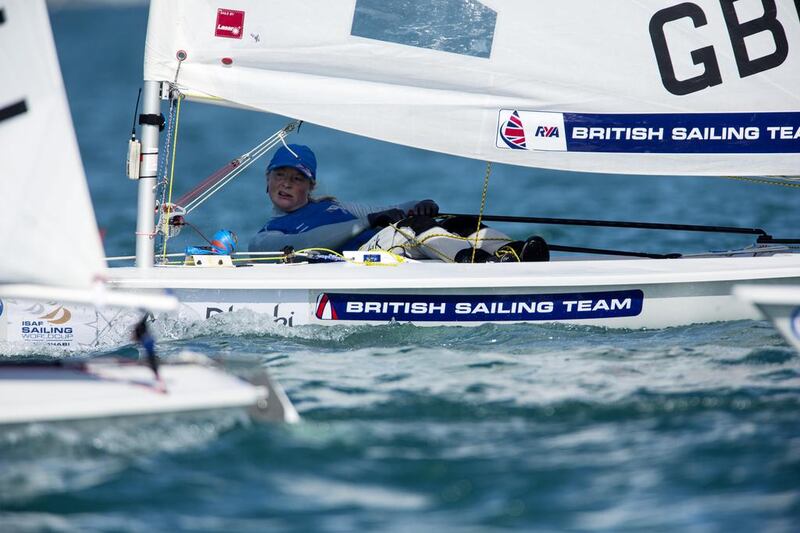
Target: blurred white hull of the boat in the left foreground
109, 388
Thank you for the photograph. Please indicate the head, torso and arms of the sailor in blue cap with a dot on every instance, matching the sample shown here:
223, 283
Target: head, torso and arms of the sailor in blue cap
302, 221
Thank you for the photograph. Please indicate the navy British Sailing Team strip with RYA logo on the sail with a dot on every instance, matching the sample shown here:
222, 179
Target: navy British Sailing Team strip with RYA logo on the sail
678, 133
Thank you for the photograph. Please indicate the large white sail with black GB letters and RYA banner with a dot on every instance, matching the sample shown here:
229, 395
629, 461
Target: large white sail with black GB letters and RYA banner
657, 87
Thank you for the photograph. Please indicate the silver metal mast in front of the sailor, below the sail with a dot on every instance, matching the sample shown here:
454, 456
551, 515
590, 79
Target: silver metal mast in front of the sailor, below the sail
145, 218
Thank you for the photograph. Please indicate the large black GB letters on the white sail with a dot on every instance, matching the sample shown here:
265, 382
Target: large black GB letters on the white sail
738, 31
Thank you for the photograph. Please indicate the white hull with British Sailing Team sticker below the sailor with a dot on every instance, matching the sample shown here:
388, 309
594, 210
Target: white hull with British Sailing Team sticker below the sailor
639, 293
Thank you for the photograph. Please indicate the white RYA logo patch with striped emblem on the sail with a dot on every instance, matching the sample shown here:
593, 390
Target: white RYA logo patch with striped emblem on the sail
547, 130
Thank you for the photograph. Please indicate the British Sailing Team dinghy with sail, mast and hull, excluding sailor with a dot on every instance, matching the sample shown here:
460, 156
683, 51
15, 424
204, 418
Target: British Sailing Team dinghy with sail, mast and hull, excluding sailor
652, 91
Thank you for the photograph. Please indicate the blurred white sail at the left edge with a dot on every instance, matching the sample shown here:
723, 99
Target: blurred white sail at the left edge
49, 233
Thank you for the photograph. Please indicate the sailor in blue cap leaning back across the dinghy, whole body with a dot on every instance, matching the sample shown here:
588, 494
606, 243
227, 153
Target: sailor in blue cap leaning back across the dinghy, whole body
409, 229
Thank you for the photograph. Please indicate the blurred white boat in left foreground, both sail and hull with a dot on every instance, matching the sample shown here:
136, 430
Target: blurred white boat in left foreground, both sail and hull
48, 218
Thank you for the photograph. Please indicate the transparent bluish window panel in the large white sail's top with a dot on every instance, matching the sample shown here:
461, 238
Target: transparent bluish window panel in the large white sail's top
463, 27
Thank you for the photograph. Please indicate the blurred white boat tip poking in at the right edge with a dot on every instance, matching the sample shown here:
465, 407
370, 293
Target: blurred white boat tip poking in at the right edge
781, 305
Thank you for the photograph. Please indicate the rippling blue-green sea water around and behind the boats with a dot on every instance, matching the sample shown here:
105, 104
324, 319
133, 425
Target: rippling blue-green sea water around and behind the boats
494, 428
